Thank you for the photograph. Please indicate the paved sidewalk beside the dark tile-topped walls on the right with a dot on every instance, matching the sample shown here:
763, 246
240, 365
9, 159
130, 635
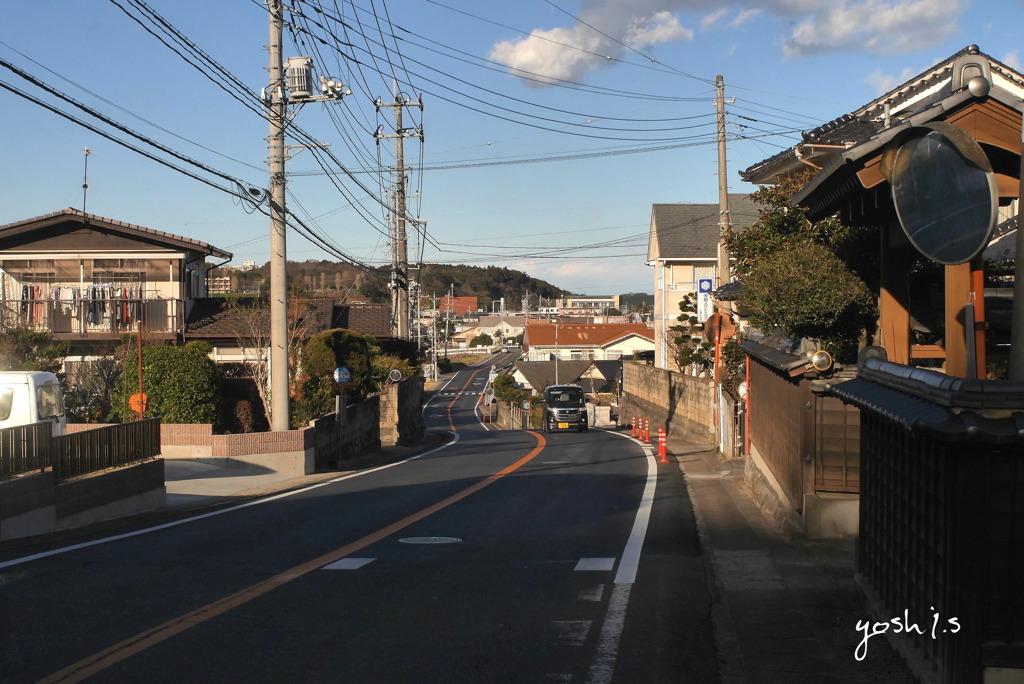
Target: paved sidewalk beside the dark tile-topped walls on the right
785, 608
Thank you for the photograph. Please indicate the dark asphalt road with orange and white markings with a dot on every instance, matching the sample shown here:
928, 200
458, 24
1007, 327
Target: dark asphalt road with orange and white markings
500, 558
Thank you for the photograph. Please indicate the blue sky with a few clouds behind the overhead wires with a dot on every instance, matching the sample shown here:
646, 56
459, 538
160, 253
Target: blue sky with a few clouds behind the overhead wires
550, 126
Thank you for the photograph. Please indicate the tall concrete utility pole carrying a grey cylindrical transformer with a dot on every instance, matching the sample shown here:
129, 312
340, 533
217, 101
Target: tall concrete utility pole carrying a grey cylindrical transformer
296, 89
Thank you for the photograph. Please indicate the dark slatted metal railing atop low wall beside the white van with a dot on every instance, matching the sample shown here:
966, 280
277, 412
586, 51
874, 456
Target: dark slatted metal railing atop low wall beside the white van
29, 448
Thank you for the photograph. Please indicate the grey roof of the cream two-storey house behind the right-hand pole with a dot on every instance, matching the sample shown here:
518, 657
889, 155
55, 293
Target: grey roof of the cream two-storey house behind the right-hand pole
692, 231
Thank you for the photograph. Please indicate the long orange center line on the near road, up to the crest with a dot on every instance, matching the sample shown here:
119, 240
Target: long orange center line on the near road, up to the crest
139, 644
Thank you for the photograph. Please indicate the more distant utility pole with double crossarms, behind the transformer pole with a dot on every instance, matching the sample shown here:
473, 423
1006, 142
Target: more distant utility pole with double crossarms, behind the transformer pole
400, 249
